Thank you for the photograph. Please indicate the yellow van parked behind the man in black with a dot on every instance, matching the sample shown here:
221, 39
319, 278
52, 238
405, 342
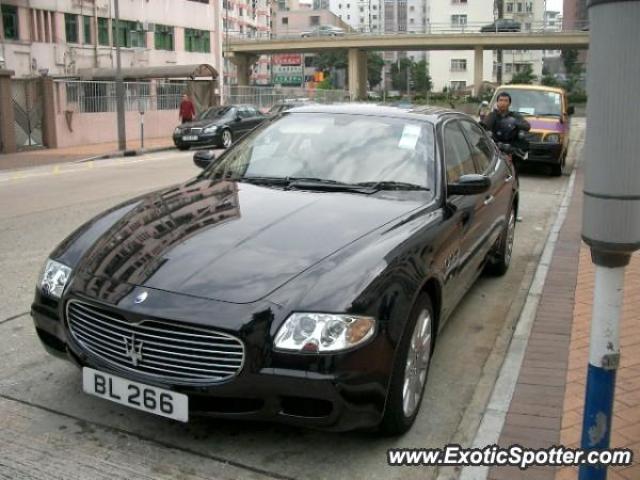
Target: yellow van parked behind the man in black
547, 110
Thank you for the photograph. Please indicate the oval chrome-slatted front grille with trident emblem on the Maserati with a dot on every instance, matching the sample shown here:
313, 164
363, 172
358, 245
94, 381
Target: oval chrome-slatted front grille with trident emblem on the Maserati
170, 351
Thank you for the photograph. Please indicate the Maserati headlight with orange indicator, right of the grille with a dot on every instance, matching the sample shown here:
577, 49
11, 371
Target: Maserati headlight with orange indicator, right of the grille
323, 332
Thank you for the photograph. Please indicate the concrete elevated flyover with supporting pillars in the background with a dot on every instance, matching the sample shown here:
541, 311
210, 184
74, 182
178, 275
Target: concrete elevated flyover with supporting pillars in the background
243, 51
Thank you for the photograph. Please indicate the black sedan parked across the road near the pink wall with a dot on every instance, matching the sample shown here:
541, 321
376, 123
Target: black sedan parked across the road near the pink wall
218, 126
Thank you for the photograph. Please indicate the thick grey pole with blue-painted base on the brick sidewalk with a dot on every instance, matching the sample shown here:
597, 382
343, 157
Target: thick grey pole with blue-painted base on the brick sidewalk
611, 218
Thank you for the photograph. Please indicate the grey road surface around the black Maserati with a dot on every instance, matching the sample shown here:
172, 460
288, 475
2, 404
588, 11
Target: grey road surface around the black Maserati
50, 429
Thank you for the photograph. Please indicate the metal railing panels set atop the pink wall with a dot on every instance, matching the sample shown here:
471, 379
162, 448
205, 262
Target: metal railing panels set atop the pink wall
83, 96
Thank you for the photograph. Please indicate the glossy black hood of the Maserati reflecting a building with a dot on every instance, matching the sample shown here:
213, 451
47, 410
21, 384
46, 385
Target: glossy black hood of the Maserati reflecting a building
233, 242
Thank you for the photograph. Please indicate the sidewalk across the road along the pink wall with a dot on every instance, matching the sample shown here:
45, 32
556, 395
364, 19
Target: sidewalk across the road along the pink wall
35, 158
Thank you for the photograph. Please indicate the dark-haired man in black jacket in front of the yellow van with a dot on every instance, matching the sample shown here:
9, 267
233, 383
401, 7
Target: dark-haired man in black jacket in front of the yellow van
505, 125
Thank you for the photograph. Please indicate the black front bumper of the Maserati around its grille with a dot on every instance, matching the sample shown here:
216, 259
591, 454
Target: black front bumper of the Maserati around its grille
339, 392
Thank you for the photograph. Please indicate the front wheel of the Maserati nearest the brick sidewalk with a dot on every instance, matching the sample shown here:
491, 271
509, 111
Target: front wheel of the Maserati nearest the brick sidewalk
410, 369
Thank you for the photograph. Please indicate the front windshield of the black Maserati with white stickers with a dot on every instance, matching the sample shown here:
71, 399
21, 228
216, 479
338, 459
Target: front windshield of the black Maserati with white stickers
342, 148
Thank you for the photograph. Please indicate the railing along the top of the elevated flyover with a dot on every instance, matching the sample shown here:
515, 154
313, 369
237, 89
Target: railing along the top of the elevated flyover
500, 27
